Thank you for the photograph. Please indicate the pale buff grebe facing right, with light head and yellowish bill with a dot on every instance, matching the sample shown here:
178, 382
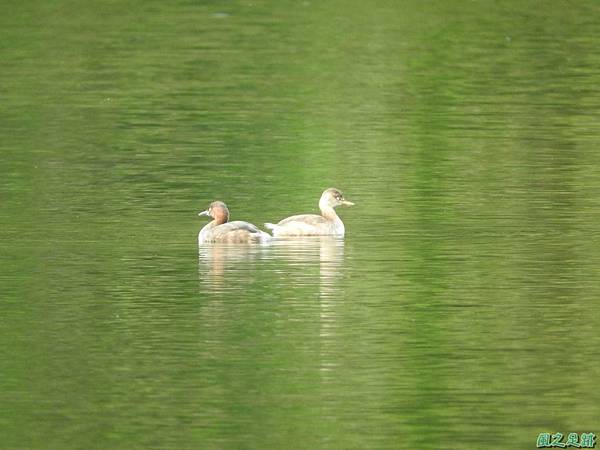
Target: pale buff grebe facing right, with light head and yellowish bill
326, 224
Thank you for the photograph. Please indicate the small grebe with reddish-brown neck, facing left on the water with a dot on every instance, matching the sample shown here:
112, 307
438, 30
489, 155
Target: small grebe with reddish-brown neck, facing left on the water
221, 230
